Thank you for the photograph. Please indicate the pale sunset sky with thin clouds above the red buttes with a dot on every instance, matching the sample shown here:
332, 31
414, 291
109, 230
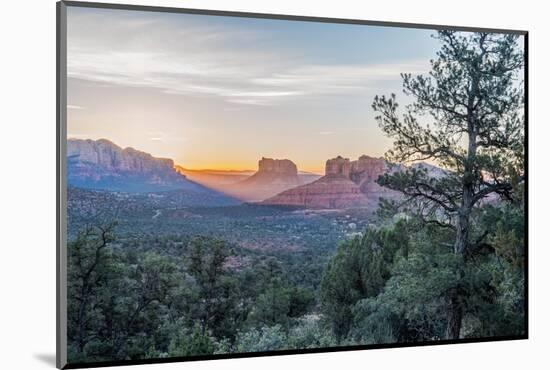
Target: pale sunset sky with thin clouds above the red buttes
214, 92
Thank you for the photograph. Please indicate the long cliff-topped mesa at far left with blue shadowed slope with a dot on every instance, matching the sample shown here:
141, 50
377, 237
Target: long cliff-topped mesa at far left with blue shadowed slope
101, 164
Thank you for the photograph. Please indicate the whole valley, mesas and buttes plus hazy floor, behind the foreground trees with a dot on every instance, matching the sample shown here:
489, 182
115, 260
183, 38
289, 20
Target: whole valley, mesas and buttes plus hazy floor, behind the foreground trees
277, 208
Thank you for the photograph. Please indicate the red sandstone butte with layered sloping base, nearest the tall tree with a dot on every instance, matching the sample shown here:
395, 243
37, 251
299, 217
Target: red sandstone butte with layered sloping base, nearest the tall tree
346, 184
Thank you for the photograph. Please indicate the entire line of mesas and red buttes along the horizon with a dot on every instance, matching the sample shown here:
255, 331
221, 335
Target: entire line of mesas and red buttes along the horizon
103, 165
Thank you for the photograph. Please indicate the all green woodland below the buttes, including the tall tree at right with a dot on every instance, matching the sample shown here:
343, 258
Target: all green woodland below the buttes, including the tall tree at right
149, 277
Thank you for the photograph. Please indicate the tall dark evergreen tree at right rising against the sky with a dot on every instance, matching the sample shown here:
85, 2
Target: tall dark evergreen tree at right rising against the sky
466, 117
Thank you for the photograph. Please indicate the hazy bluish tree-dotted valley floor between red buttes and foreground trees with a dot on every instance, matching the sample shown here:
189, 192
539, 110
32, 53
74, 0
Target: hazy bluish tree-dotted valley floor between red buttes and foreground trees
250, 226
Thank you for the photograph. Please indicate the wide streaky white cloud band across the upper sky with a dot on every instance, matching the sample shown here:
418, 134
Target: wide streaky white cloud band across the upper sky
199, 60
